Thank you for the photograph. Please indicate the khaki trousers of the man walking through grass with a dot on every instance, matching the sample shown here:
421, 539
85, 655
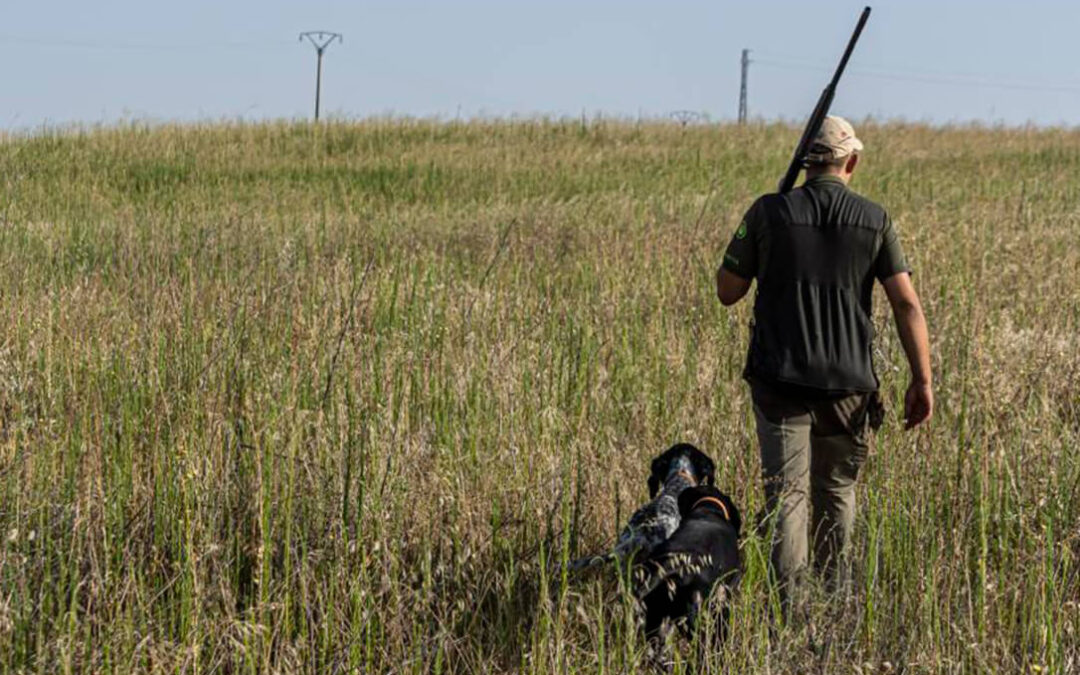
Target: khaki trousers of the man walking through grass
812, 451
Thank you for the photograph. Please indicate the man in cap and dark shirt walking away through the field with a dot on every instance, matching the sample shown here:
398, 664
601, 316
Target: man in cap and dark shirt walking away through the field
816, 252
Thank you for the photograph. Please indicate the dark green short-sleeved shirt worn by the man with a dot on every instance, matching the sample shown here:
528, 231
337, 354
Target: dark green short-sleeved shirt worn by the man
819, 250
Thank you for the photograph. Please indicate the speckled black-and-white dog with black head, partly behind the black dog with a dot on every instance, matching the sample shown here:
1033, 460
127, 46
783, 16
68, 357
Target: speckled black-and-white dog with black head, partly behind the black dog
681, 467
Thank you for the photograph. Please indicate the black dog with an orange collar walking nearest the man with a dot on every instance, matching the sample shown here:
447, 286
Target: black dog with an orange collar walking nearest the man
677, 580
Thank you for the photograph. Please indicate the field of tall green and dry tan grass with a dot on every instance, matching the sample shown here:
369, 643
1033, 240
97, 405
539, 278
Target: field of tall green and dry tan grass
287, 399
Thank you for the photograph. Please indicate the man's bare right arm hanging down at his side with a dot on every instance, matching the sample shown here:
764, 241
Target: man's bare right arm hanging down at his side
915, 337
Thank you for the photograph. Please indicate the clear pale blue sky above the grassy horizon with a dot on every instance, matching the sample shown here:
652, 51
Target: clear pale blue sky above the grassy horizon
941, 62
